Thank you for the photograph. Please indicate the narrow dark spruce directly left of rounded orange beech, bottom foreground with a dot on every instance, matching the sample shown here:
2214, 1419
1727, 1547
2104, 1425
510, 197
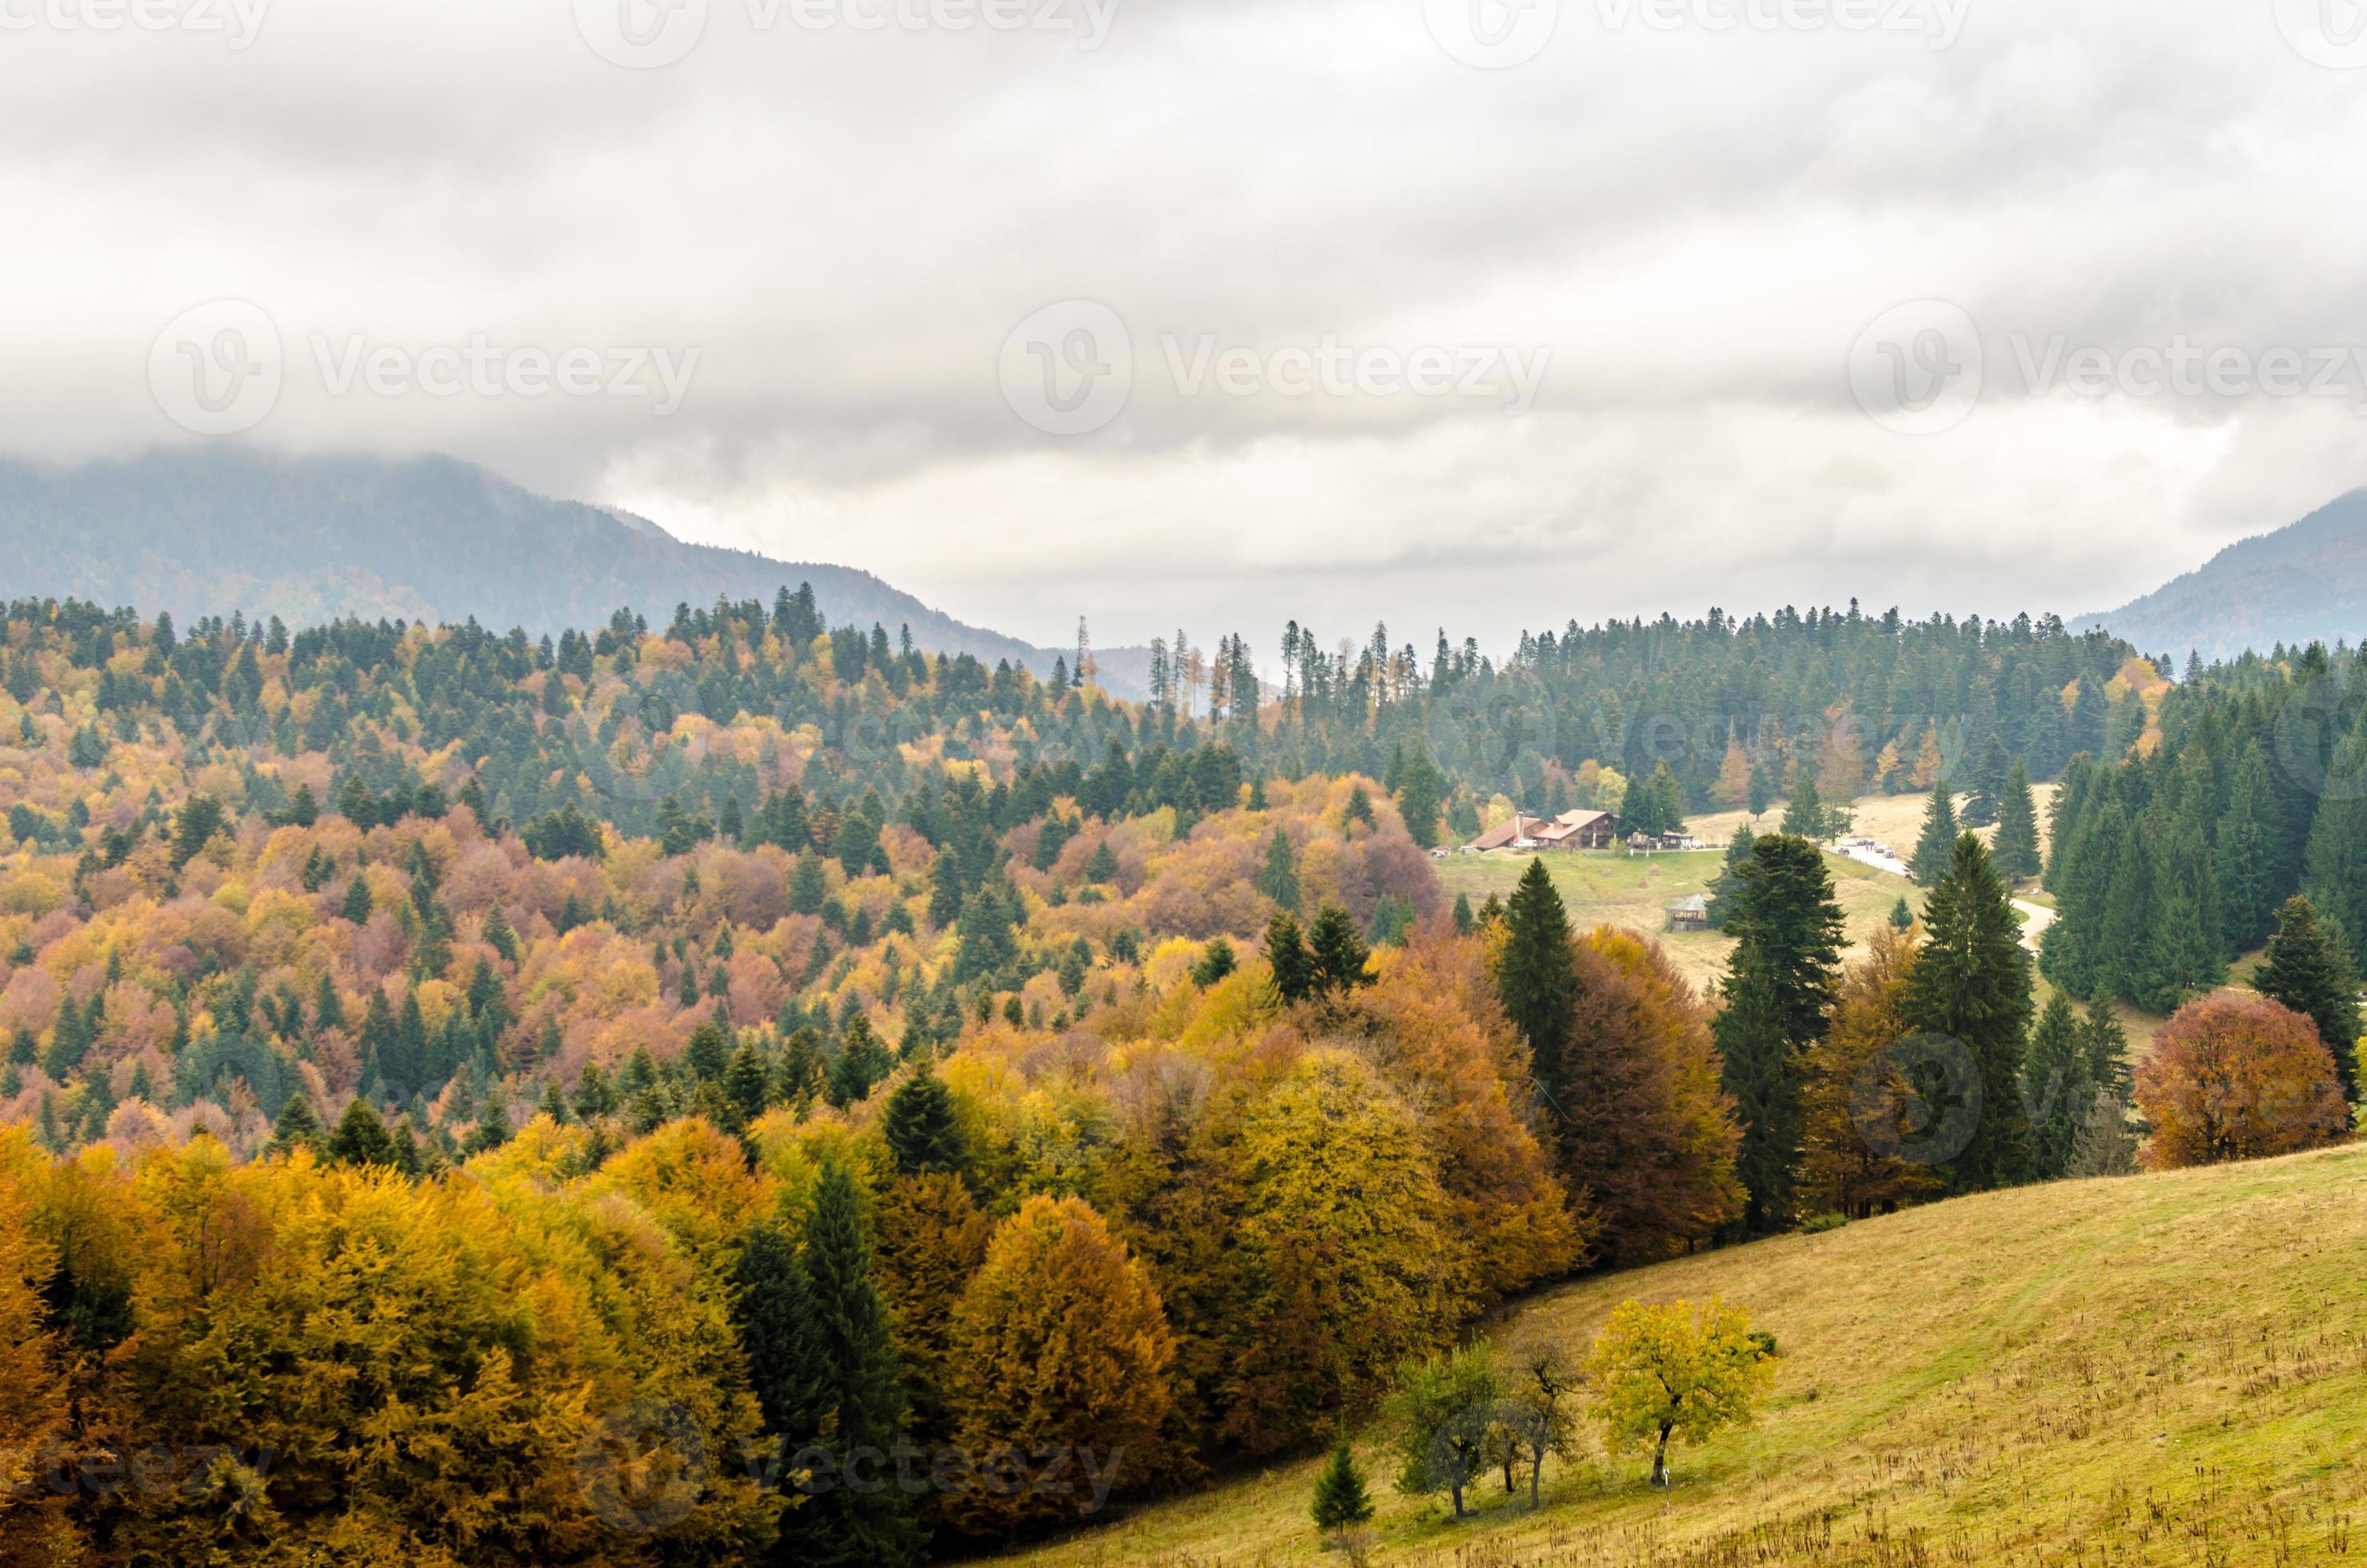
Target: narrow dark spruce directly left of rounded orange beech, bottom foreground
865, 1389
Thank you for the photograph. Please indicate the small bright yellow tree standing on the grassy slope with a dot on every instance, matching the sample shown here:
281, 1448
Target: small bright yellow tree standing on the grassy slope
1677, 1375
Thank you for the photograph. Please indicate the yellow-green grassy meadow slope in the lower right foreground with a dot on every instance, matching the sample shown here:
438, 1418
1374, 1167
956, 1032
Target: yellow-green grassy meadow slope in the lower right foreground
2155, 1370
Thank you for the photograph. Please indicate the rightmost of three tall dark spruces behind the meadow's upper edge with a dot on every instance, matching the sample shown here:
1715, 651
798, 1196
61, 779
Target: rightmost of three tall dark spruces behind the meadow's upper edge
1973, 987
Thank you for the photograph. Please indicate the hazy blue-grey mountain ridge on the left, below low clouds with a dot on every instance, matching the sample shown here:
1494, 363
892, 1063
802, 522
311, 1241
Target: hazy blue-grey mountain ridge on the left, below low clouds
425, 539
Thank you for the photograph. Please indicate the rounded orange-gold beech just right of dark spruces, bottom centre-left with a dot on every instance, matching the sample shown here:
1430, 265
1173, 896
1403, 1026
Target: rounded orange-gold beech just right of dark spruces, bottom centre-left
1059, 1349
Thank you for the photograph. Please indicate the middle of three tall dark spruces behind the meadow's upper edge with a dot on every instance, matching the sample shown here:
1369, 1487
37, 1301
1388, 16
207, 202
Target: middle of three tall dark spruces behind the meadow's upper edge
1779, 989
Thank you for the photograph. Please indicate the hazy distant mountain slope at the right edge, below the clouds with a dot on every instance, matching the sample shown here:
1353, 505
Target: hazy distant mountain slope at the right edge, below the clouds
2295, 586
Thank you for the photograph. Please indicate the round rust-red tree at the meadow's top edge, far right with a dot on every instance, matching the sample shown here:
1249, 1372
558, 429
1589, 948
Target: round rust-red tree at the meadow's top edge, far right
2238, 1079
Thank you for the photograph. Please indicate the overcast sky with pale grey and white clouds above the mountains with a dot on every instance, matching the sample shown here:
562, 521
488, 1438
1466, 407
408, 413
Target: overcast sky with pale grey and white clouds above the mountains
1225, 311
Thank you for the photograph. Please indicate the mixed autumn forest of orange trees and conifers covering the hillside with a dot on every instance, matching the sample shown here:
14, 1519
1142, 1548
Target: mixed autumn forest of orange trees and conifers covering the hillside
614, 1098
